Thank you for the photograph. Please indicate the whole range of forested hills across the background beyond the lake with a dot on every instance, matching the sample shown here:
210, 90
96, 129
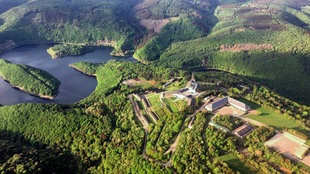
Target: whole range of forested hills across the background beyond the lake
267, 41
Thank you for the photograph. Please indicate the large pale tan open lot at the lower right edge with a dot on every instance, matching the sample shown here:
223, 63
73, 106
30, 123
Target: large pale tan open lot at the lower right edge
288, 145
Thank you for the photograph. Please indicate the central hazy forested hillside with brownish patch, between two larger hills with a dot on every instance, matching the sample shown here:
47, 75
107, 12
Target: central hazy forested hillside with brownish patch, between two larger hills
169, 21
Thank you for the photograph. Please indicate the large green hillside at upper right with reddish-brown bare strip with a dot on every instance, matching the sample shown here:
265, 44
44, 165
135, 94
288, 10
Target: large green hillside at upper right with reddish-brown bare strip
268, 42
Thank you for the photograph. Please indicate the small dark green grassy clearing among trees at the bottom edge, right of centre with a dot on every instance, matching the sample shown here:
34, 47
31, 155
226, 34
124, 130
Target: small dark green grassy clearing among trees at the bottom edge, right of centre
236, 164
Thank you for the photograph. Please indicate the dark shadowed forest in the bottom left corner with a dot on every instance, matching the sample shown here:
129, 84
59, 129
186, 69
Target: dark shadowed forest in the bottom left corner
30, 156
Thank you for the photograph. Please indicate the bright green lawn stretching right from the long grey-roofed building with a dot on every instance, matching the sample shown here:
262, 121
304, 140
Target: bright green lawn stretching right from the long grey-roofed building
272, 118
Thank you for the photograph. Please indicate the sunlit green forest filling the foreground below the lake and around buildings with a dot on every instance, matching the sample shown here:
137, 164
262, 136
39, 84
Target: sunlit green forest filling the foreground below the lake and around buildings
101, 132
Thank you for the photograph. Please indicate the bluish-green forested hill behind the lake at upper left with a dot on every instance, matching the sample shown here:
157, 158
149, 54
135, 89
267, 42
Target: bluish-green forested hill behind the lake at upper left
95, 22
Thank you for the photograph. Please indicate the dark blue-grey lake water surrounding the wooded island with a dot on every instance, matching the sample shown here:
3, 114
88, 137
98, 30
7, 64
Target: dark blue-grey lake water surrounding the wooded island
74, 85
